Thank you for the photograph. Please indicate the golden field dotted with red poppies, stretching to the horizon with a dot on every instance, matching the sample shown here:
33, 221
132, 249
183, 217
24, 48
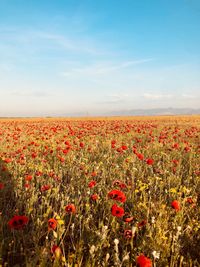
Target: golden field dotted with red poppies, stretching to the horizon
100, 192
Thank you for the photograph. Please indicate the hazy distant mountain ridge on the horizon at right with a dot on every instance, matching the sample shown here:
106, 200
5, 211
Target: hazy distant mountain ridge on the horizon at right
155, 112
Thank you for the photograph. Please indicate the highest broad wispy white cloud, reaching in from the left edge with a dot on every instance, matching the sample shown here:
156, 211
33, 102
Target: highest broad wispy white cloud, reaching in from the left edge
38, 39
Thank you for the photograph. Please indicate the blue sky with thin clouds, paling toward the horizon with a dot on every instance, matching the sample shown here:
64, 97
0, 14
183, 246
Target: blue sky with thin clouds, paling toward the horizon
90, 57
